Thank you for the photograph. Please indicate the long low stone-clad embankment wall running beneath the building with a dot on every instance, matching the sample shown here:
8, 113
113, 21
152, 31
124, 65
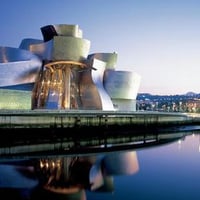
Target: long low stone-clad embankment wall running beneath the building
89, 119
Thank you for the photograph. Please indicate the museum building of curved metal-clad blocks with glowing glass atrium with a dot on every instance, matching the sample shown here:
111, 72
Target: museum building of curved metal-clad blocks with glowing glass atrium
59, 73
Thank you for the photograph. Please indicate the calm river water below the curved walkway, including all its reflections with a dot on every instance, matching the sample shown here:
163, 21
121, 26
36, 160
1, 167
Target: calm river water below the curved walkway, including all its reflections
166, 171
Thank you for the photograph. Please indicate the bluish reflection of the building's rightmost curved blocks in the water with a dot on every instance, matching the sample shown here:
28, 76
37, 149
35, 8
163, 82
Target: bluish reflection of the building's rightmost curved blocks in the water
113, 164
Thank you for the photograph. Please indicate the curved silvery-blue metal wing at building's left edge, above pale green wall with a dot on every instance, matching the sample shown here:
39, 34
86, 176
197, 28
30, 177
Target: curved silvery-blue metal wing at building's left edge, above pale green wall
18, 66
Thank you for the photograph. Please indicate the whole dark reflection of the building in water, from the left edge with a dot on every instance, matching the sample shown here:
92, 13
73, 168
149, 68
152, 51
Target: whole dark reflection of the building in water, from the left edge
67, 177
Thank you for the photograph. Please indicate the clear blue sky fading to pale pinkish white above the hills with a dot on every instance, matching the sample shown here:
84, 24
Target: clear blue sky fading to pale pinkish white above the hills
158, 39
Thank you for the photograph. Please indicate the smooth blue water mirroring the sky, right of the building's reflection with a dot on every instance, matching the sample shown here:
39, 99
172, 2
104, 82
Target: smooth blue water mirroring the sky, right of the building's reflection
167, 172
